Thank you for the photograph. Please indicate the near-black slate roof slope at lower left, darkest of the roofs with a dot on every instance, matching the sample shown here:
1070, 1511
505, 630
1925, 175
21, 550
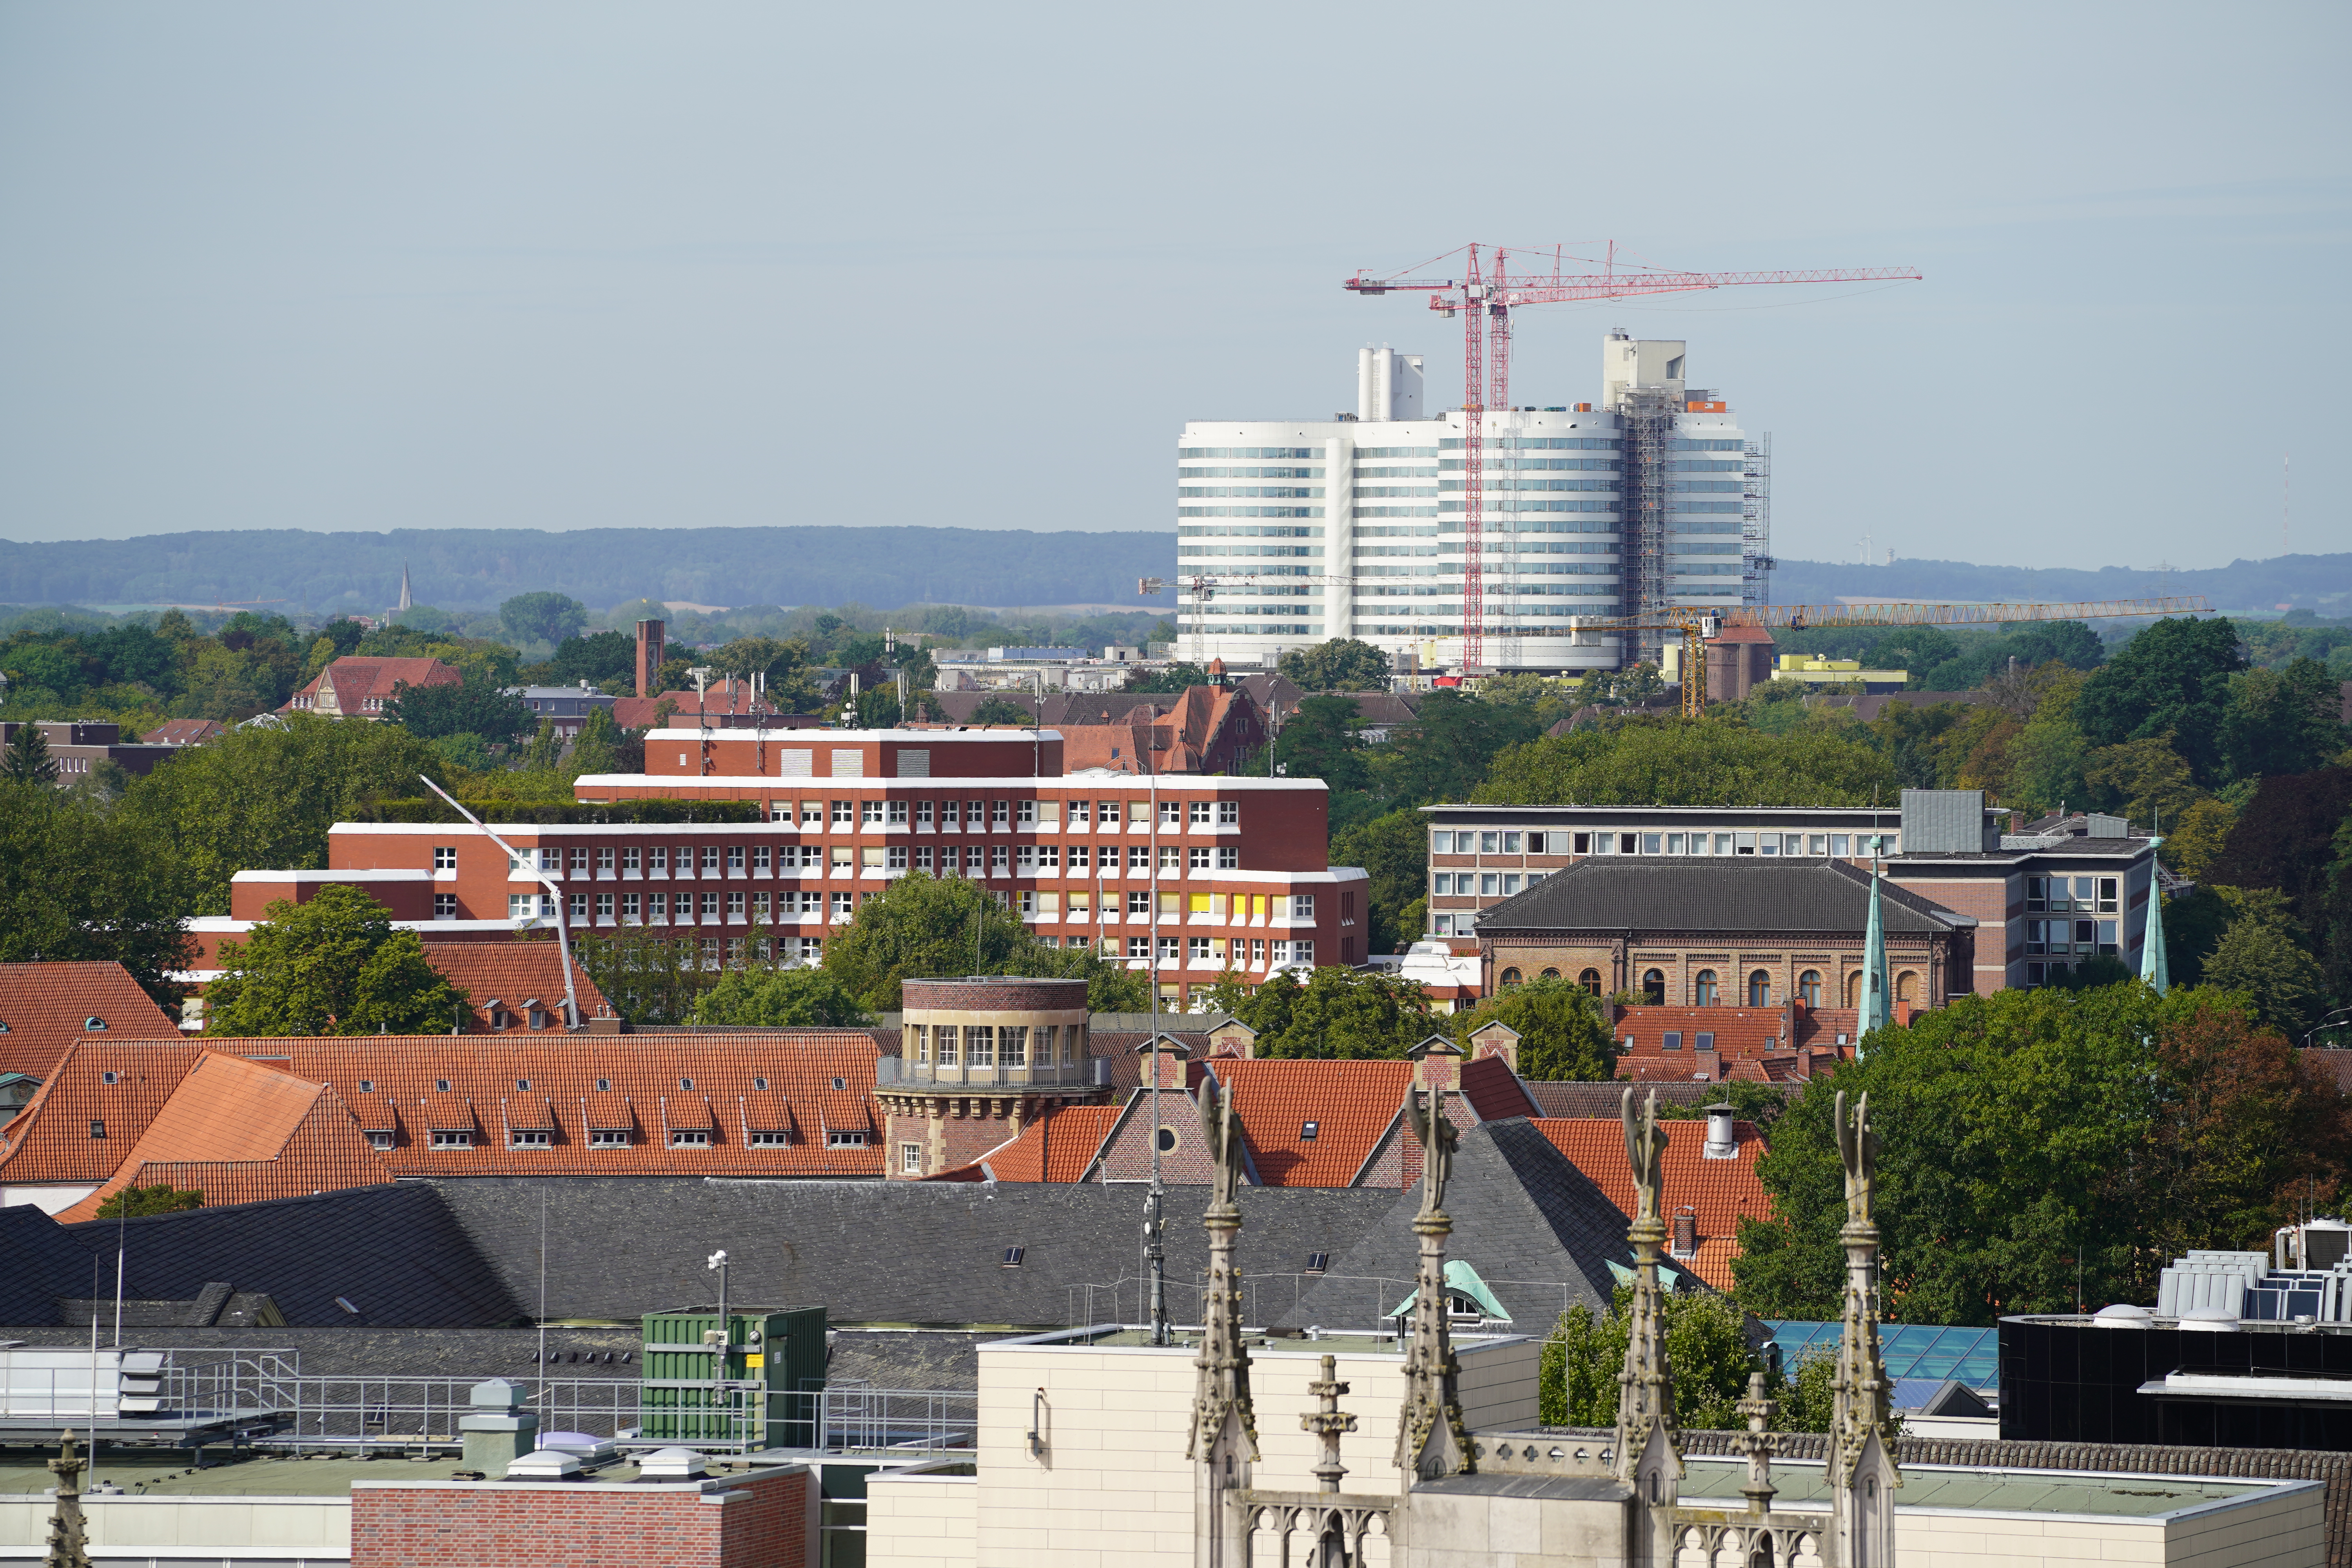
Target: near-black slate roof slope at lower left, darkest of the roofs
392, 1252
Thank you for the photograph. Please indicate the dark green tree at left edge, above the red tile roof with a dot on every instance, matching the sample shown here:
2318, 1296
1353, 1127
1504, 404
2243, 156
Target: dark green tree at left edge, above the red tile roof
86, 883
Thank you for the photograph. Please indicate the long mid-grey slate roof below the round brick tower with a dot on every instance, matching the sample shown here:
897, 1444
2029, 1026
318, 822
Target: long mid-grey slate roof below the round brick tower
878, 1252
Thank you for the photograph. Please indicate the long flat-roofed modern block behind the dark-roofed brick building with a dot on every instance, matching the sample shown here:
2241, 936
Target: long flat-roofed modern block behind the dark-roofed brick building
2043, 899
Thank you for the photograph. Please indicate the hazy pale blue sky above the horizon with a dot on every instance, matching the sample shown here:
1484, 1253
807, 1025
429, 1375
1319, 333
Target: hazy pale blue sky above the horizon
759, 264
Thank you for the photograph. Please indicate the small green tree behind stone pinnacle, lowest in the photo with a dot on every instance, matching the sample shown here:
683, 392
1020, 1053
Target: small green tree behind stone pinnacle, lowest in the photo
1706, 1341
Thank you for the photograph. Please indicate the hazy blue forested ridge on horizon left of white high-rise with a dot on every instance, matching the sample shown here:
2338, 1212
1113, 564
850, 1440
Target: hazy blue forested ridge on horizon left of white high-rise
601, 568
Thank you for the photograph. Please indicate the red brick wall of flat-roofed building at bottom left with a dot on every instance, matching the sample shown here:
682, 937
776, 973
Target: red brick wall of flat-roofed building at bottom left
754, 1522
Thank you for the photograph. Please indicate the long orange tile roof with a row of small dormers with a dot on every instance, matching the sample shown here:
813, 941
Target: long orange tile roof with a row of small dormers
495, 1087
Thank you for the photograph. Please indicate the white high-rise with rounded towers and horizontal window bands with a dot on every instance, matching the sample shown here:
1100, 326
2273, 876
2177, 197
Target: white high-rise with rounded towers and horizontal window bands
1354, 528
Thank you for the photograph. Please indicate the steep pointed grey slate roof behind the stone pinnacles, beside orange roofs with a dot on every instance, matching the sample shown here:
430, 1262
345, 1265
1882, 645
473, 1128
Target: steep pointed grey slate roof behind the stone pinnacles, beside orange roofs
1537, 1231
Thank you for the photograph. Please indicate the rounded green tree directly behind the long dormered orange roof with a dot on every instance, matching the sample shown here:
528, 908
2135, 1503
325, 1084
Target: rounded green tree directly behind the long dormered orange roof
330, 965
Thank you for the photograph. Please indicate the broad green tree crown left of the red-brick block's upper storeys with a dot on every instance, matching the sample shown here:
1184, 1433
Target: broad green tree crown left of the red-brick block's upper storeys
267, 798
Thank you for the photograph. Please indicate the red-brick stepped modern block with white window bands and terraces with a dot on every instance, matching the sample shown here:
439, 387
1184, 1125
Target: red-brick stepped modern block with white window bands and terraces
1189, 876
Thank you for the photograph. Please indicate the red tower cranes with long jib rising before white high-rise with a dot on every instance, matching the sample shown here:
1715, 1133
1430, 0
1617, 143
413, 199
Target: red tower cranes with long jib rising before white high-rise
1485, 304
